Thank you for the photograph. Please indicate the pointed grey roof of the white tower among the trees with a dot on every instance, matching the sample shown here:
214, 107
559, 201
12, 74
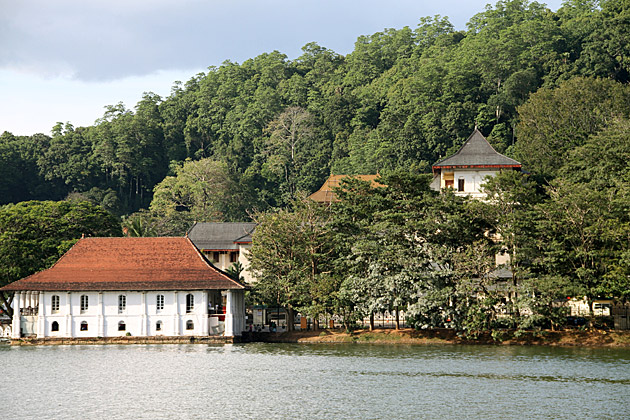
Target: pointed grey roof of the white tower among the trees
476, 152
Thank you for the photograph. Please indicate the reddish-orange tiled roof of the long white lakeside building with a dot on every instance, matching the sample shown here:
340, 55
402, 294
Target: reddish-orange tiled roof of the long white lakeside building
129, 264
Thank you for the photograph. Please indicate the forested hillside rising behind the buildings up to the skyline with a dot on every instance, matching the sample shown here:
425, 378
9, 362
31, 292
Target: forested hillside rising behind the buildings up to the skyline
271, 126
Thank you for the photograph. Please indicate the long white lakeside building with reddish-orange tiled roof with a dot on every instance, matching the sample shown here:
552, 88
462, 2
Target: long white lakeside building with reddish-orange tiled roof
108, 287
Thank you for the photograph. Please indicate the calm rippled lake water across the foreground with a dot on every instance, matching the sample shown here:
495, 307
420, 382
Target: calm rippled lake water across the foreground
287, 381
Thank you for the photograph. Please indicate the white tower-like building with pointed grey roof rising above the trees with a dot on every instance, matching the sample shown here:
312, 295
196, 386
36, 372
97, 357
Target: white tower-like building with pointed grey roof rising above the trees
466, 170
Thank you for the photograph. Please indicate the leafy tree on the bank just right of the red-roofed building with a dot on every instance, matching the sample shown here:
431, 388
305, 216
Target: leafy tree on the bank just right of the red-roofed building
290, 258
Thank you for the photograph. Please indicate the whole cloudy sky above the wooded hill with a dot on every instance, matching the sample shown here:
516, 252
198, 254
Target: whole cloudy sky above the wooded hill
65, 60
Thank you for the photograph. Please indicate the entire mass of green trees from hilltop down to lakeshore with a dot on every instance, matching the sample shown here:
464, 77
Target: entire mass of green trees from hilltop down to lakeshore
549, 88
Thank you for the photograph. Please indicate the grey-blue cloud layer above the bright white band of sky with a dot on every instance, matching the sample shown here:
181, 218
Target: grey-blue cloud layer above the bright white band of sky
99, 40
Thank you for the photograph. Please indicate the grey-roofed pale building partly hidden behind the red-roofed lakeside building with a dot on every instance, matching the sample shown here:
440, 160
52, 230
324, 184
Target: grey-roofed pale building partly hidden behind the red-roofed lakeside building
224, 243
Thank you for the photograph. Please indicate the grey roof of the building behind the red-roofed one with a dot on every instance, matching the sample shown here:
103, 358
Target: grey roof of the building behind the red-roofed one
221, 236
